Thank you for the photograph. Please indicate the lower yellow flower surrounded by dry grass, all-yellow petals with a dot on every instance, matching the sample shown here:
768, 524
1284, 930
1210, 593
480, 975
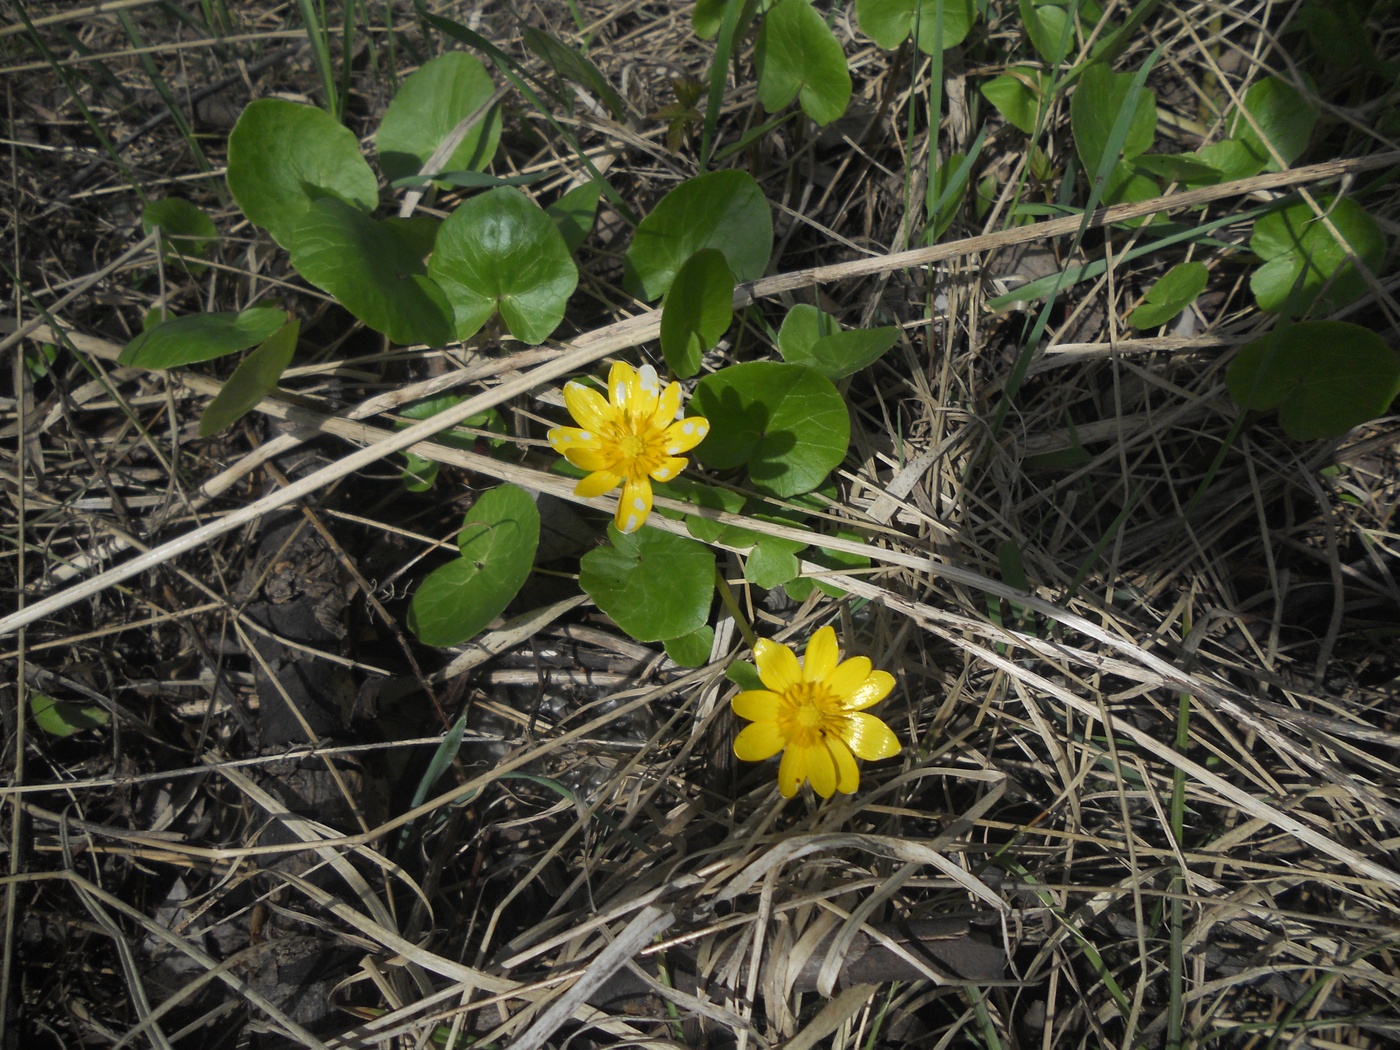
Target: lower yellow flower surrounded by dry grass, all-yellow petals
814, 712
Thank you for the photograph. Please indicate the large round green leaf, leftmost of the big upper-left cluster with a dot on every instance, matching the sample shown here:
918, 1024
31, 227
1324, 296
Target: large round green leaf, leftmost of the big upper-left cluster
283, 156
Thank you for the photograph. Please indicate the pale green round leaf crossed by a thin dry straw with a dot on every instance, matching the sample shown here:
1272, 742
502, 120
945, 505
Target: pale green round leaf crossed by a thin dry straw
428, 108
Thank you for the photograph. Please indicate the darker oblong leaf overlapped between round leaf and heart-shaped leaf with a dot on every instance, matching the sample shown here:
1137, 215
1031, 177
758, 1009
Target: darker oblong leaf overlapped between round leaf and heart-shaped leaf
373, 271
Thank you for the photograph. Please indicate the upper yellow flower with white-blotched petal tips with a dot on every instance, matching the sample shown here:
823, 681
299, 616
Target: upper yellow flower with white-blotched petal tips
632, 439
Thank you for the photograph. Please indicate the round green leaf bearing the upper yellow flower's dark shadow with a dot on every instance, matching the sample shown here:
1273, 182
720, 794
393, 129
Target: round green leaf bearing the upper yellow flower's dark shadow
785, 422
